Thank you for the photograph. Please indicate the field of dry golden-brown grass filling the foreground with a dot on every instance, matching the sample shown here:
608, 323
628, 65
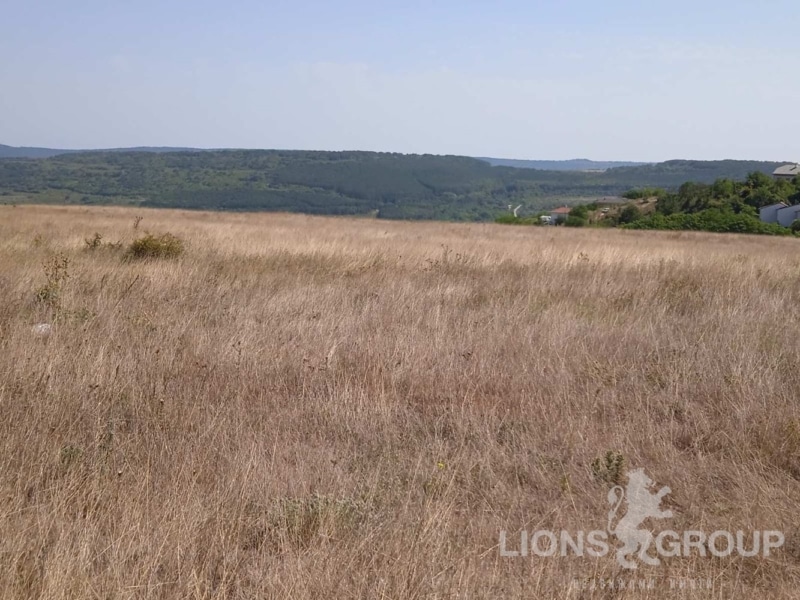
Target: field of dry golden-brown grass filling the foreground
304, 407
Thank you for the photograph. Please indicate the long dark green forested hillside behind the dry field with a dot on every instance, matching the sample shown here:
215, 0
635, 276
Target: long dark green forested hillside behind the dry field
385, 185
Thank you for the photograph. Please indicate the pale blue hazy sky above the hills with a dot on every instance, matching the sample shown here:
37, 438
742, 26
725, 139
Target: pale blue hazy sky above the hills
618, 80
